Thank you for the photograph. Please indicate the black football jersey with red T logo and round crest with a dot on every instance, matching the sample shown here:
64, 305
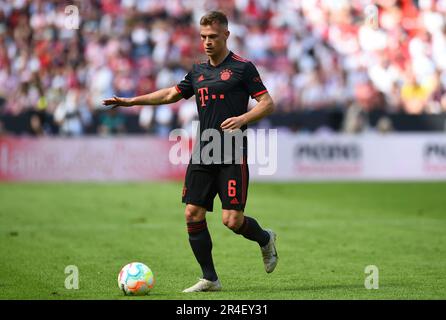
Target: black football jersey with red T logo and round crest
222, 92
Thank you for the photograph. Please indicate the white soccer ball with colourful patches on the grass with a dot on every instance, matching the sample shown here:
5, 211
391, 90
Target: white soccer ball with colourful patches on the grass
136, 279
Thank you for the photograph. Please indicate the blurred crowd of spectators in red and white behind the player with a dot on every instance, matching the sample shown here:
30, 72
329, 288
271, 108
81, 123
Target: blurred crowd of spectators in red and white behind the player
59, 59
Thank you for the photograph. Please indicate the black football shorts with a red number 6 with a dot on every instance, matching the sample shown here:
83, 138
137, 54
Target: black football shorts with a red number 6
204, 182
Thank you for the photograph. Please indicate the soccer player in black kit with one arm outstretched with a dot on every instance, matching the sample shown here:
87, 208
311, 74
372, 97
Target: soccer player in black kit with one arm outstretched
222, 86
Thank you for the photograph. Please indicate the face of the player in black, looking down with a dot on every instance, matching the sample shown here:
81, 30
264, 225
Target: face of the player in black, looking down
214, 38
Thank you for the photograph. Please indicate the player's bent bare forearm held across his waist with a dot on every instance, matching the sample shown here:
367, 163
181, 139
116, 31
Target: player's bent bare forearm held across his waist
264, 107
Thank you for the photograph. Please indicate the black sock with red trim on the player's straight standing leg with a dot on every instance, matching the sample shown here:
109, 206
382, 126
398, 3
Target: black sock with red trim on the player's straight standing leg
201, 244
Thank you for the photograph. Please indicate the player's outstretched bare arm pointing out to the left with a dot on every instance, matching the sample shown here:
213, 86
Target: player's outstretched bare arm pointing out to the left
162, 96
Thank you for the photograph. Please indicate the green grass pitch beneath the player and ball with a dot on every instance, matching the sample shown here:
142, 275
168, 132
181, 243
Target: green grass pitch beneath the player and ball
327, 234
